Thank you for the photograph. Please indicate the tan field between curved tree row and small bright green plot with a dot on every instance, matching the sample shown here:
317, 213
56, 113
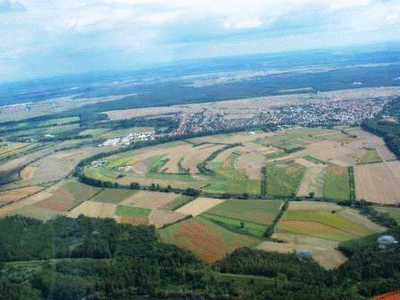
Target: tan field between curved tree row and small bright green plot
150, 199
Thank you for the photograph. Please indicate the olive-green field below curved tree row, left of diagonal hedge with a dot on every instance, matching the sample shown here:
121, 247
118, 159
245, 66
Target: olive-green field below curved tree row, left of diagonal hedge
257, 211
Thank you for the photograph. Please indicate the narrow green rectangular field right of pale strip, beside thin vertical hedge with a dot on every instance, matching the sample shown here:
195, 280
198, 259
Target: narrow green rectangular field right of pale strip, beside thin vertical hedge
337, 183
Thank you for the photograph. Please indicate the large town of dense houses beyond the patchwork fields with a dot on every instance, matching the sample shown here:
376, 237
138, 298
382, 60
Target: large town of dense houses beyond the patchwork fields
324, 113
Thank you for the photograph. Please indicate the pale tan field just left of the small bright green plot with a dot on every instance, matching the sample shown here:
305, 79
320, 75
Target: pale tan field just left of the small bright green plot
94, 210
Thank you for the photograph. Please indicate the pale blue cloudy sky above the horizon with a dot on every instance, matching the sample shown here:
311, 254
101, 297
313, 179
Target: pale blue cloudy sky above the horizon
41, 38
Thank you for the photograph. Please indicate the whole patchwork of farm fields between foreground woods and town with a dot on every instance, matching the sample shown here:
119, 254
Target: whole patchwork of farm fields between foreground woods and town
273, 191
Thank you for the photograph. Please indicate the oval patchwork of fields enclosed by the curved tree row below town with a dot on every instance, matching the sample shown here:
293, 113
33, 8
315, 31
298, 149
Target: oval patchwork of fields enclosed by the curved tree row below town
298, 161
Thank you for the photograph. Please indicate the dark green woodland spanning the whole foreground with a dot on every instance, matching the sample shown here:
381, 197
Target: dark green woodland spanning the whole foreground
99, 259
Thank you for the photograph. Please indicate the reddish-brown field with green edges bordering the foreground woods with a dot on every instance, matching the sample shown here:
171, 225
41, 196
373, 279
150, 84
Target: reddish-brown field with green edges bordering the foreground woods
209, 241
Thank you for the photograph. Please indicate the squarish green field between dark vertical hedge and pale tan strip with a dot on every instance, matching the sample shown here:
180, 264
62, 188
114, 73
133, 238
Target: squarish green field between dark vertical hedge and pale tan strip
284, 179
